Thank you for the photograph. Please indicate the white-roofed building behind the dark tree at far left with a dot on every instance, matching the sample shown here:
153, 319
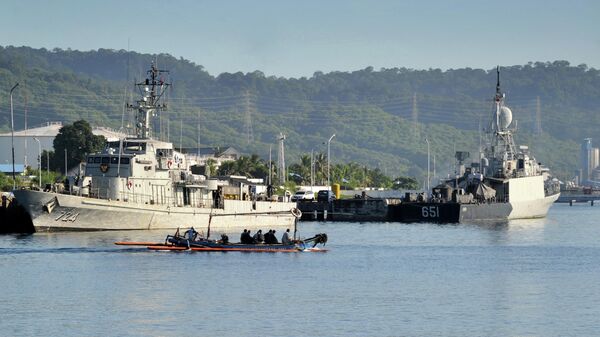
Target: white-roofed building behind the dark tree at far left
27, 148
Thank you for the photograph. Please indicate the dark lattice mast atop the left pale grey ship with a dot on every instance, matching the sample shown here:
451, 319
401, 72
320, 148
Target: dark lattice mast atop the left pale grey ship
151, 90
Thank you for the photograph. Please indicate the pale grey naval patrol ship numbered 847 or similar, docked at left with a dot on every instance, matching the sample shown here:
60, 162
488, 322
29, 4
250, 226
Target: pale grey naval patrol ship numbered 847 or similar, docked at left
140, 182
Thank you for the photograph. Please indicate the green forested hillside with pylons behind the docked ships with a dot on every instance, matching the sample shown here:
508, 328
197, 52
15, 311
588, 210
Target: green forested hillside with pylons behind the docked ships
381, 118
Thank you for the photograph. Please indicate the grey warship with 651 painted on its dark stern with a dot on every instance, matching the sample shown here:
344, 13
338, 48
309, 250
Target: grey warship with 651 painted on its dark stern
505, 183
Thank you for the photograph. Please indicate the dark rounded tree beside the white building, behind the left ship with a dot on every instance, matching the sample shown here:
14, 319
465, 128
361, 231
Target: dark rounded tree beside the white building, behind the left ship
78, 140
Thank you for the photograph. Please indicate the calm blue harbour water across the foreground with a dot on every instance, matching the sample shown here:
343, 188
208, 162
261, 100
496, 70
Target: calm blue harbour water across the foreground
525, 278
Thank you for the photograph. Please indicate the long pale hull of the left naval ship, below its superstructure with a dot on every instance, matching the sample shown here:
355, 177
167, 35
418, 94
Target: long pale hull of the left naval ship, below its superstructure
56, 212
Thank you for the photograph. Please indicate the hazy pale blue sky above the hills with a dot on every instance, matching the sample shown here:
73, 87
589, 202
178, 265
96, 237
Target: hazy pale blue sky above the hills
297, 38
